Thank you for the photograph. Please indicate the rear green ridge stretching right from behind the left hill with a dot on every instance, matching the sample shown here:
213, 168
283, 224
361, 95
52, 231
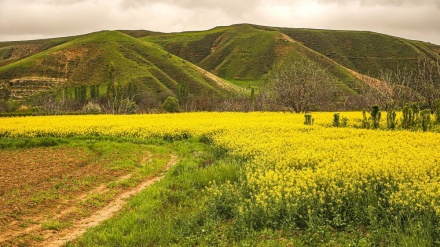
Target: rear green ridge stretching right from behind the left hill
246, 52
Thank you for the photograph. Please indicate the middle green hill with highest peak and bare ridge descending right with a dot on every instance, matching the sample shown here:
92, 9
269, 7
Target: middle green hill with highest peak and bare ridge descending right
244, 53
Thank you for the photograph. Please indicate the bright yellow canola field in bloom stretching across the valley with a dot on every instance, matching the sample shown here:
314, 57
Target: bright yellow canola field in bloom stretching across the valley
288, 166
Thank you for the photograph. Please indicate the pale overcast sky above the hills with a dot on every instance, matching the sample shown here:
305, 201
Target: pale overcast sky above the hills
35, 19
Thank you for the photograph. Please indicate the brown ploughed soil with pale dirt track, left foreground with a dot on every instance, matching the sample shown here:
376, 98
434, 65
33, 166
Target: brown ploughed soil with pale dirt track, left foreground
59, 185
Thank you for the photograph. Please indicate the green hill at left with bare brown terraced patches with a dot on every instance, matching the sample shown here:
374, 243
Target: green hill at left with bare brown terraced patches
86, 59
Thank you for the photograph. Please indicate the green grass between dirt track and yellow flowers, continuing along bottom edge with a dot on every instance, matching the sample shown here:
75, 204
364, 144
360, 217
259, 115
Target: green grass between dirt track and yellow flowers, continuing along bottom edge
183, 210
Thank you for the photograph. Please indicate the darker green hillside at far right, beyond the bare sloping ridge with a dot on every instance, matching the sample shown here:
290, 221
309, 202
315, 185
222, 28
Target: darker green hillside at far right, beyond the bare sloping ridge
364, 52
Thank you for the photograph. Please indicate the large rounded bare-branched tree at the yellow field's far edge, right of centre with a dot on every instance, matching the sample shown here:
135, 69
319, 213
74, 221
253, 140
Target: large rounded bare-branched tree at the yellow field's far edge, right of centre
298, 83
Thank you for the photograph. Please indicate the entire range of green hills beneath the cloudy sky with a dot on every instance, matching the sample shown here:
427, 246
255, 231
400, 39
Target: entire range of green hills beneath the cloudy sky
206, 63
